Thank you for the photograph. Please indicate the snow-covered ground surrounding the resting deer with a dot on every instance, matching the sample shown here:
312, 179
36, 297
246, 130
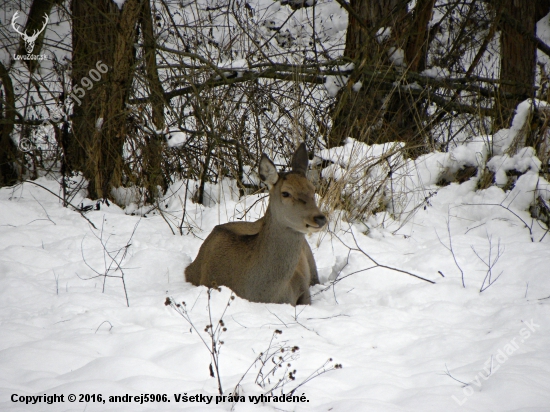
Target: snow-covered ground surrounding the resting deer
404, 343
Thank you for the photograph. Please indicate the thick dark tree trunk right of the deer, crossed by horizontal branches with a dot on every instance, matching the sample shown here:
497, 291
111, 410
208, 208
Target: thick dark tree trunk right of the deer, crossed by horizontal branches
396, 116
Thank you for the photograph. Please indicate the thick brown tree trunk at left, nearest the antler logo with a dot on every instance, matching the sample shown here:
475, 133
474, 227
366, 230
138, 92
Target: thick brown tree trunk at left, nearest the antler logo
102, 32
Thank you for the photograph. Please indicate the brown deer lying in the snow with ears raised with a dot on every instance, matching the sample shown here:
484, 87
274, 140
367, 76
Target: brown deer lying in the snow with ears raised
269, 260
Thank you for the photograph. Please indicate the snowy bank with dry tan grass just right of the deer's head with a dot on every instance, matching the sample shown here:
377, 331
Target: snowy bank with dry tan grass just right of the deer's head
367, 178
